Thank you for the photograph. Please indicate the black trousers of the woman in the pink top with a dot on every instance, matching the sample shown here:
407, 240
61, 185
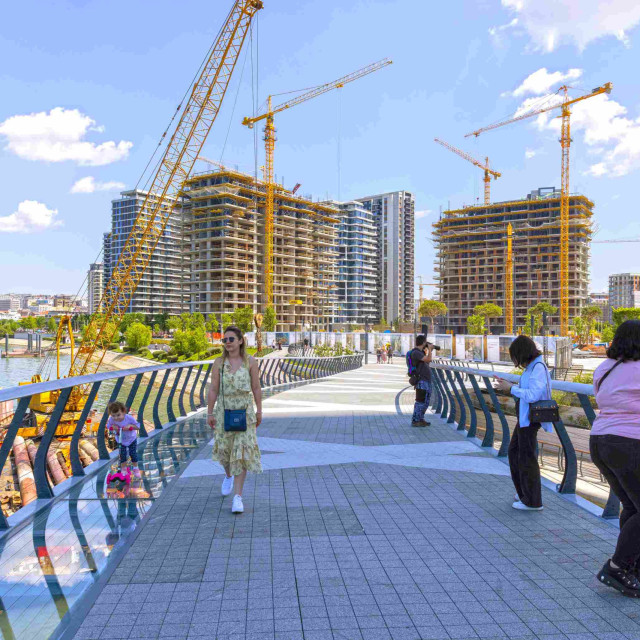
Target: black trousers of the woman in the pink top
618, 460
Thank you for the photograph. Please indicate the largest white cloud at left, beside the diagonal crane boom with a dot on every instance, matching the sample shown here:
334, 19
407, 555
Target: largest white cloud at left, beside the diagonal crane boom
58, 136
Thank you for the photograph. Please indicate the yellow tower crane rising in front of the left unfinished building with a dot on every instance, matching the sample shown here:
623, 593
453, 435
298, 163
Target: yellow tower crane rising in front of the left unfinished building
269, 146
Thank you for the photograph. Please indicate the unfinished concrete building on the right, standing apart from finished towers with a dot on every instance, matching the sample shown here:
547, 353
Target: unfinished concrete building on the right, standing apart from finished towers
472, 256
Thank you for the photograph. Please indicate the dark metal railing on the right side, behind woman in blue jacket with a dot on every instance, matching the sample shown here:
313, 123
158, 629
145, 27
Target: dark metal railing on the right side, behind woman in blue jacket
465, 397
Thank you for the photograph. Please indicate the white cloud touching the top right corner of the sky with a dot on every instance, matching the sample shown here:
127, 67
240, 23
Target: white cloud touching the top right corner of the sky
550, 23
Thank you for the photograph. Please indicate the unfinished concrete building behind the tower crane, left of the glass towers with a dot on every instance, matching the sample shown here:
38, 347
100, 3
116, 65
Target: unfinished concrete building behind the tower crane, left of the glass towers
224, 239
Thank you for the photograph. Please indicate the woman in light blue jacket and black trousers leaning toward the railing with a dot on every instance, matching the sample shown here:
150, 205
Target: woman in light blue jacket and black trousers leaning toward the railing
535, 385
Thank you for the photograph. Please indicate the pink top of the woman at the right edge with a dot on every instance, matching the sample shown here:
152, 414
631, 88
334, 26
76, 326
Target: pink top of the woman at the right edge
618, 400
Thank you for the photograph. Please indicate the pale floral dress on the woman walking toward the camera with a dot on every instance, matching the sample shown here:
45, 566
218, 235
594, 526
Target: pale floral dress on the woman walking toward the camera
236, 449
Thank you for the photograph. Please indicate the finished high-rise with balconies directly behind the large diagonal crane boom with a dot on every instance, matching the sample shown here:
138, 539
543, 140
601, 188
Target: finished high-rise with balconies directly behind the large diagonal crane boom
160, 289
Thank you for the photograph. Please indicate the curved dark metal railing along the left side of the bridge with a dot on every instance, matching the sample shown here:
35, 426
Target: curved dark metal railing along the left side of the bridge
158, 394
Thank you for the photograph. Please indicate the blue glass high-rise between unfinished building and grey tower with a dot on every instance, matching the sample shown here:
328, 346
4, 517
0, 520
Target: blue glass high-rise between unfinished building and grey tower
356, 288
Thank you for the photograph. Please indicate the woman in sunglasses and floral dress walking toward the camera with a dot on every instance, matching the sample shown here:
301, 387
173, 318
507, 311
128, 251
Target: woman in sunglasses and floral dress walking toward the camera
236, 451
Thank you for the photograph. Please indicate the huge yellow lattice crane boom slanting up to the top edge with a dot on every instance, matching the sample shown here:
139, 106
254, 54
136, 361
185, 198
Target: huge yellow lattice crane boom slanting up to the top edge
181, 153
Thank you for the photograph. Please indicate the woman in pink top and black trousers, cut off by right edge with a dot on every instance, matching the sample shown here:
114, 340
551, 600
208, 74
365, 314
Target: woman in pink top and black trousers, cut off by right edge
615, 450
